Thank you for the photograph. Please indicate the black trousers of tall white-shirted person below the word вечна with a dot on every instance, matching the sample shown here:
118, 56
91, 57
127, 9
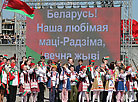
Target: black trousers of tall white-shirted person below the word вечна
40, 97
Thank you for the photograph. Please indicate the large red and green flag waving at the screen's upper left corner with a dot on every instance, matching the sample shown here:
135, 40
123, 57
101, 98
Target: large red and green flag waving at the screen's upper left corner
18, 7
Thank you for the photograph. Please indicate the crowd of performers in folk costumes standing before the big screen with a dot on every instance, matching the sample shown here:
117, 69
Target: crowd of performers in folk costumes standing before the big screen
66, 82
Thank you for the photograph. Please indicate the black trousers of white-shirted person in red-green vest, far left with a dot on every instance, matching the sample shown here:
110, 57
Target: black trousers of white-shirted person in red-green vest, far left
12, 96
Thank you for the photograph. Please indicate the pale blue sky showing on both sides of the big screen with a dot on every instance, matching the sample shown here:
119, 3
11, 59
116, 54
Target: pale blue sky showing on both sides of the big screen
135, 11
